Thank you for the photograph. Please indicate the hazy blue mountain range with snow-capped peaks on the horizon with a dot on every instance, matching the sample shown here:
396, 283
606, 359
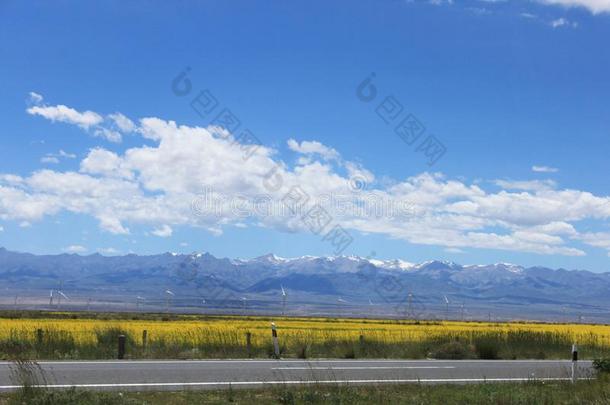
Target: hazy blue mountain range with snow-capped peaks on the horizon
307, 285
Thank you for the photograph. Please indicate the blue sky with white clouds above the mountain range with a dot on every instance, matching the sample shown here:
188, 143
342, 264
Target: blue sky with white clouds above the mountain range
504, 86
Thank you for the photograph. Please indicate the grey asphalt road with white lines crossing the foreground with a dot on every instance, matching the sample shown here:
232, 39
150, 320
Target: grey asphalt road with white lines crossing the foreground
214, 374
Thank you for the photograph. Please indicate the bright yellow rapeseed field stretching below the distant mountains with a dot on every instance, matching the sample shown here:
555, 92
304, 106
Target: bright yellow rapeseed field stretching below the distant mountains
232, 330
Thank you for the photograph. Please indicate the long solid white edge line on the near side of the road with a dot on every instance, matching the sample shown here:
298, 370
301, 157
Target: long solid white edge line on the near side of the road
295, 382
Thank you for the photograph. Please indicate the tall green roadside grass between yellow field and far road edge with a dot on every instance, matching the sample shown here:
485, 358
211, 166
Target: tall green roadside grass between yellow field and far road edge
62, 345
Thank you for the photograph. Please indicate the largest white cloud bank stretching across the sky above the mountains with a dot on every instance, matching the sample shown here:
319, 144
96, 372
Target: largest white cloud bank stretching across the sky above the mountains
162, 186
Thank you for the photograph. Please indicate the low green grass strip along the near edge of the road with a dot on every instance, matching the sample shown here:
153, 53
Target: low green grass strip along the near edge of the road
596, 391
